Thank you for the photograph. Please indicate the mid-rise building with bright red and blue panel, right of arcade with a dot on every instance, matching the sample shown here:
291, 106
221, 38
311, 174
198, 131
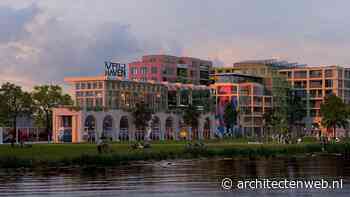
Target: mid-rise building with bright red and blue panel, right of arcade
248, 98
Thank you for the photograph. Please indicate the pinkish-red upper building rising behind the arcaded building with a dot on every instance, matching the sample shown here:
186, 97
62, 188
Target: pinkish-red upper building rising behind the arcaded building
166, 68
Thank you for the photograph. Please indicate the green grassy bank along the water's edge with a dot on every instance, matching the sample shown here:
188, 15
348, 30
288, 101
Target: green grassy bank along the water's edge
56, 155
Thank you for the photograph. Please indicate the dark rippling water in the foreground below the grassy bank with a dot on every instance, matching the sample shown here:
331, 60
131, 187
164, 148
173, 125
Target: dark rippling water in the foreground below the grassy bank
177, 178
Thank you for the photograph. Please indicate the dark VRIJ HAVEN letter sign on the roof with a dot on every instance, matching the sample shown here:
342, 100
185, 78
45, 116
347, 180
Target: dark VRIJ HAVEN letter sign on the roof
116, 70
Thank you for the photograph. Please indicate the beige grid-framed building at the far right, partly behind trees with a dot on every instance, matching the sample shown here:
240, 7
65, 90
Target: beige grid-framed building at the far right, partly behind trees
314, 83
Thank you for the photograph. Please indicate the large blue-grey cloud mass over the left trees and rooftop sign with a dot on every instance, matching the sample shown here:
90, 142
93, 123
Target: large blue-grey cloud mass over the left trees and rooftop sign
45, 49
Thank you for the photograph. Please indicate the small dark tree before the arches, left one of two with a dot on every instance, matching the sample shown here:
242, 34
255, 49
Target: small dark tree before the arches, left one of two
142, 115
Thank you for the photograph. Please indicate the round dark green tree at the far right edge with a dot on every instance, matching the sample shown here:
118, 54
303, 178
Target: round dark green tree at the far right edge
334, 113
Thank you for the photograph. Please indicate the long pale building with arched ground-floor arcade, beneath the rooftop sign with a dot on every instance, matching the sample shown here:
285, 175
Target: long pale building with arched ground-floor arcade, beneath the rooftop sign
103, 109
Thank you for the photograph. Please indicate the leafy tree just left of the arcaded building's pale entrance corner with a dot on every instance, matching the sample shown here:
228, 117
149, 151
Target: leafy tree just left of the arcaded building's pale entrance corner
45, 98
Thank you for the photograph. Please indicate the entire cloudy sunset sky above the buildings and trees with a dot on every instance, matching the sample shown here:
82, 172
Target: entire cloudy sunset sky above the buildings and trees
43, 41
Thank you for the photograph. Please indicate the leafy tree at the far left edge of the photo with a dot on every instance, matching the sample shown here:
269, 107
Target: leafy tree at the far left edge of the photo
14, 102
